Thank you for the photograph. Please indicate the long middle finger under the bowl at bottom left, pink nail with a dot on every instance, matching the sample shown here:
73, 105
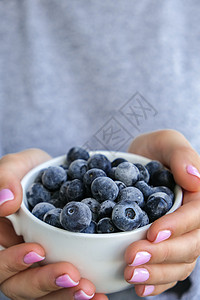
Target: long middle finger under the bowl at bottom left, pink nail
40, 281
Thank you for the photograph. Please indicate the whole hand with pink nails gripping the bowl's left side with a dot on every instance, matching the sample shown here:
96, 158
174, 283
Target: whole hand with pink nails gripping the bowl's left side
18, 280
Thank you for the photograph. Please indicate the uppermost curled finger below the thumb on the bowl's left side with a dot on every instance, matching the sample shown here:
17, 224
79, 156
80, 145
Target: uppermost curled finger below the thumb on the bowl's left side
14, 259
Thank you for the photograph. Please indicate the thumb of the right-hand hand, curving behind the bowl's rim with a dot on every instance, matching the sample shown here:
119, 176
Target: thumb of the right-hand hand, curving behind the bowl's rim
173, 150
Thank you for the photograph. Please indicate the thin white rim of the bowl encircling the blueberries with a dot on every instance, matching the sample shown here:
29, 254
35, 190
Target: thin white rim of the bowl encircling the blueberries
59, 160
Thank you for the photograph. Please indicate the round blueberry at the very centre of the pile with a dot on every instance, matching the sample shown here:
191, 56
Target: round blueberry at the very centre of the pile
104, 188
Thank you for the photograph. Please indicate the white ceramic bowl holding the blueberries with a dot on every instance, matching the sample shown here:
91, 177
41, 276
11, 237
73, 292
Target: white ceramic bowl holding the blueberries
98, 257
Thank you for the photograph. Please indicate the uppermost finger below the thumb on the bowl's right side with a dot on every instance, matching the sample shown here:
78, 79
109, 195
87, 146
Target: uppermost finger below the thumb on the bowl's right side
183, 220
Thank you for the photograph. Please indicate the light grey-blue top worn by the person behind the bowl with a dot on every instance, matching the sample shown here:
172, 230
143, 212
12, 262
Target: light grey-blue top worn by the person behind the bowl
98, 73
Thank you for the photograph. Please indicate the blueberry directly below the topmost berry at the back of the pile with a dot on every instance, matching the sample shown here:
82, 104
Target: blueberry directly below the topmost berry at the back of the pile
77, 169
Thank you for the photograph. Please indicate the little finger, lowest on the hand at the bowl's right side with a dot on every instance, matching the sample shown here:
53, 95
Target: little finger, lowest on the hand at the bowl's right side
153, 290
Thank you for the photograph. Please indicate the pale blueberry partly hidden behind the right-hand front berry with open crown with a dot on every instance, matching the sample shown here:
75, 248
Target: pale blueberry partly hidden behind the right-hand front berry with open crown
131, 194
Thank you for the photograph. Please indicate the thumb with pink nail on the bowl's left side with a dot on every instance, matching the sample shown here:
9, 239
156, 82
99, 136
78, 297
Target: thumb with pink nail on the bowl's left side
13, 167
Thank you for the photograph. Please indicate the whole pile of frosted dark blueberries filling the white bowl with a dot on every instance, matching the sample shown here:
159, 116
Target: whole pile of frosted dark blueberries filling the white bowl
91, 194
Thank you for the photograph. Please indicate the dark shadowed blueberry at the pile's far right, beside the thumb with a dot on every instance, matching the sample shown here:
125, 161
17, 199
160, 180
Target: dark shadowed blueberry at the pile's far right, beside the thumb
163, 177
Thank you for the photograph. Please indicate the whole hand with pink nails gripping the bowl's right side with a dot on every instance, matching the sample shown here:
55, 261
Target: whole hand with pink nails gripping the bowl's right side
172, 246
